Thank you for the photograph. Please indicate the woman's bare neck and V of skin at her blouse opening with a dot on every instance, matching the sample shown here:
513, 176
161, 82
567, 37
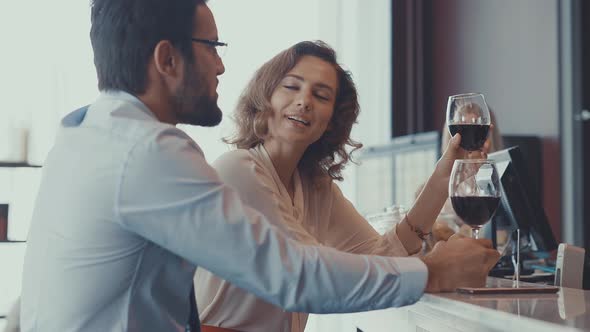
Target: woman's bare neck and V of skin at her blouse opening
285, 158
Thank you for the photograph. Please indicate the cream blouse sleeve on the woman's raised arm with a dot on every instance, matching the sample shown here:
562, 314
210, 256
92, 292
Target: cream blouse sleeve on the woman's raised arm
348, 231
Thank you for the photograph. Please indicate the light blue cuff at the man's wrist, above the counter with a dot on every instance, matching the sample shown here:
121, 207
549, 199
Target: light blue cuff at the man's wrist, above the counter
413, 277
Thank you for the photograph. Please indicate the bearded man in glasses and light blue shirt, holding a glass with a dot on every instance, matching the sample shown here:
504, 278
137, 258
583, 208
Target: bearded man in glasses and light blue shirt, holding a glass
128, 206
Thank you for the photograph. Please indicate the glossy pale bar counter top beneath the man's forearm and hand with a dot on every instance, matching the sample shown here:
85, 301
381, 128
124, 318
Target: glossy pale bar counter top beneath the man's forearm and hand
562, 311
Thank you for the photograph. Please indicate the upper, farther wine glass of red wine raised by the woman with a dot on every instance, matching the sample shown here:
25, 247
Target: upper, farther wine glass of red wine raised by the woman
468, 115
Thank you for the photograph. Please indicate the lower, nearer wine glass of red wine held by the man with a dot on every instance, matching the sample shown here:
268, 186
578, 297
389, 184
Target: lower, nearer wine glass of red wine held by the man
474, 189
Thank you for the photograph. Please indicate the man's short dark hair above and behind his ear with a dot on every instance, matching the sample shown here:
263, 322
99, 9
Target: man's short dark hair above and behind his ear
124, 34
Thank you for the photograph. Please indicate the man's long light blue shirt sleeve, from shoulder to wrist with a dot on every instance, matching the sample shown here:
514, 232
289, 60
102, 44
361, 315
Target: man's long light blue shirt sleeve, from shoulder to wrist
169, 195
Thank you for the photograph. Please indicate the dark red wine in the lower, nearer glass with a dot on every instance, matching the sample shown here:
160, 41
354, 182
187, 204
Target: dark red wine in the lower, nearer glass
475, 211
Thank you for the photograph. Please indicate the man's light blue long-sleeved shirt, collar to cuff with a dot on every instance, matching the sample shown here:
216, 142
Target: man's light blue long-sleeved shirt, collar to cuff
128, 207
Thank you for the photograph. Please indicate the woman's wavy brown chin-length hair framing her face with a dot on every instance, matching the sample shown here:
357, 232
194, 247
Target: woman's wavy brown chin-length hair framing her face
328, 155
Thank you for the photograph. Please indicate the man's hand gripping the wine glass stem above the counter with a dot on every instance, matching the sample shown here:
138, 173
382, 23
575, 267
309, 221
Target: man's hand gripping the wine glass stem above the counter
459, 262
